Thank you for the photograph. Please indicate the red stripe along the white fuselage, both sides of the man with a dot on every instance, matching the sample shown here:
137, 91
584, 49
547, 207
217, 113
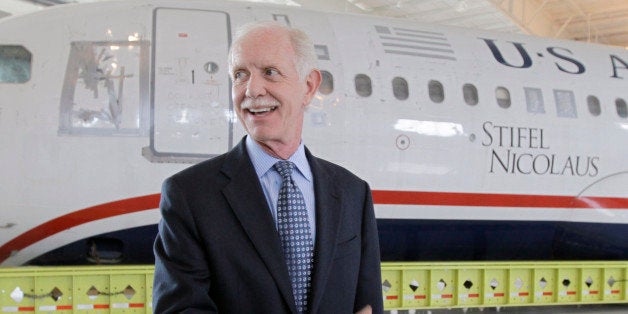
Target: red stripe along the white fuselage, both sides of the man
382, 197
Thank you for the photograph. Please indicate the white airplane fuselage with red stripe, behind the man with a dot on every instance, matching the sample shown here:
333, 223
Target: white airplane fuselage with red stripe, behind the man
445, 124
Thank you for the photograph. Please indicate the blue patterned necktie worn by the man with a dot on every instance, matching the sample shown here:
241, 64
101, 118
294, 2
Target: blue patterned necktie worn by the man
294, 232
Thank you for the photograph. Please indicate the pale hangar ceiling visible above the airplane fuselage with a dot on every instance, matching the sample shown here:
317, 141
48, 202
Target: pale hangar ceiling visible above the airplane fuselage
596, 21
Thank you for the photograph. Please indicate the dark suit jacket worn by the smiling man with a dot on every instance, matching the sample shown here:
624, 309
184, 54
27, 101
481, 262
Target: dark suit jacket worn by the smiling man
218, 250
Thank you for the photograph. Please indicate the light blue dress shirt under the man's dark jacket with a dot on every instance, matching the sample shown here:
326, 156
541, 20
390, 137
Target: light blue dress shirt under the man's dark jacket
271, 179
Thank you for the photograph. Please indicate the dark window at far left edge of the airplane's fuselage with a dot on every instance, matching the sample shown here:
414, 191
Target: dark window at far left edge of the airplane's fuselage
15, 64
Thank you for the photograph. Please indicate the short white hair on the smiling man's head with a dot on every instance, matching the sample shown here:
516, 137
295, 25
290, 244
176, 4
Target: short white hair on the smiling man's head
305, 56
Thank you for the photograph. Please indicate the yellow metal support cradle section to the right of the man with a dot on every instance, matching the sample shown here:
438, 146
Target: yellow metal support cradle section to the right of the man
498, 284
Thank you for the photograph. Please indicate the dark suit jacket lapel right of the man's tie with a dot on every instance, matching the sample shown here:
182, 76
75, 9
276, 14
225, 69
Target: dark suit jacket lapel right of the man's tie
328, 209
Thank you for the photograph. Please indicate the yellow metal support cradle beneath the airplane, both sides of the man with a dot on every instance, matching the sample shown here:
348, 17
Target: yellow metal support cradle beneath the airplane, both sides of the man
405, 286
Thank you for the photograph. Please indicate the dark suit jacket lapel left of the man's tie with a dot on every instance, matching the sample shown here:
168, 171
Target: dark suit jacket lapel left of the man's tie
246, 197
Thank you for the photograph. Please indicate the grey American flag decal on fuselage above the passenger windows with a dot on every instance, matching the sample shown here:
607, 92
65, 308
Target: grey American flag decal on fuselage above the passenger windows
415, 43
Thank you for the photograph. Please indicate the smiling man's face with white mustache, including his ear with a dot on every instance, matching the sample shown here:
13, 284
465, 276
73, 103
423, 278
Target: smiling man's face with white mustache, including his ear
269, 96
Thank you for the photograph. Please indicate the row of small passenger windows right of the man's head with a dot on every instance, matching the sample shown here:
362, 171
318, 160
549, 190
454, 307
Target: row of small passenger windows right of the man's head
564, 99
